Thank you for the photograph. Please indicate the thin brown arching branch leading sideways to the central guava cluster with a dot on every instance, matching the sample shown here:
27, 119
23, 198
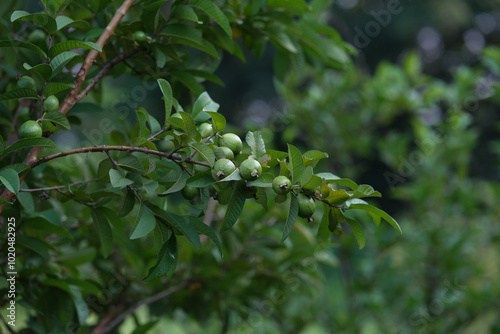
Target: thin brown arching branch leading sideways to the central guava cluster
107, 148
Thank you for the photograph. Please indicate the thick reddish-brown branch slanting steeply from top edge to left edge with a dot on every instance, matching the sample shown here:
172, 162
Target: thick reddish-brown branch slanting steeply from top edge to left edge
71, 98
